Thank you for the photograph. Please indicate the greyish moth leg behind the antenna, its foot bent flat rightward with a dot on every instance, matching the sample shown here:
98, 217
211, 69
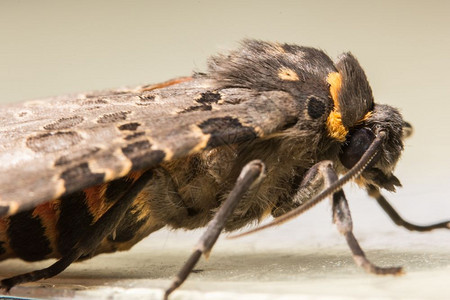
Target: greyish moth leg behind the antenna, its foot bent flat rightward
343, 220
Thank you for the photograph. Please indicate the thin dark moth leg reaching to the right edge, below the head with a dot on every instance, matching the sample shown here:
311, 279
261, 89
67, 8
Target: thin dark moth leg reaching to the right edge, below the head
374, 192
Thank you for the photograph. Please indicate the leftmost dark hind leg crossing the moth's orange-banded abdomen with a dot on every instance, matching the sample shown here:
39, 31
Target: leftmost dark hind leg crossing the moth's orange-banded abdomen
102, 228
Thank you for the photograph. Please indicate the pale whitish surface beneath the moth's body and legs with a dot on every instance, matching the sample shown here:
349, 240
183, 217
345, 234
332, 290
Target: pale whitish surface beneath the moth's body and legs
303, 259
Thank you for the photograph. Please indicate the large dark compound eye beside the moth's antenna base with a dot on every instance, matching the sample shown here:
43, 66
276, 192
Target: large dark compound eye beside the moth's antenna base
356, 144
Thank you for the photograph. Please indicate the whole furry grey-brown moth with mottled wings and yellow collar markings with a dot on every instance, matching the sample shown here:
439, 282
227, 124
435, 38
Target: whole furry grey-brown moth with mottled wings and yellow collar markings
267, 130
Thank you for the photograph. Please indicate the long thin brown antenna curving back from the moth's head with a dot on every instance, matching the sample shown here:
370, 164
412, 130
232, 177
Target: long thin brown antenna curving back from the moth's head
355, 171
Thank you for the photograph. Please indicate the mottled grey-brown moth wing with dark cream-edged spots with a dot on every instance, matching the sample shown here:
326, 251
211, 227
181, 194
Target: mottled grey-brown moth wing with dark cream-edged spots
56, 146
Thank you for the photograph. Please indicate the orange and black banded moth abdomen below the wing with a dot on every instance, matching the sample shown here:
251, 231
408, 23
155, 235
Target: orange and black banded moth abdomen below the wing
53, 228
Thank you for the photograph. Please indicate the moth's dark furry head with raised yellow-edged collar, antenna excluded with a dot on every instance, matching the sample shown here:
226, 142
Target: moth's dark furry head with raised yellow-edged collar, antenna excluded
356, 120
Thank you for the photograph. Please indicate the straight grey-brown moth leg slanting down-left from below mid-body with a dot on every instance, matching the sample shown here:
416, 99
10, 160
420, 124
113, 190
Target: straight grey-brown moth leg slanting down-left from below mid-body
251, 174
